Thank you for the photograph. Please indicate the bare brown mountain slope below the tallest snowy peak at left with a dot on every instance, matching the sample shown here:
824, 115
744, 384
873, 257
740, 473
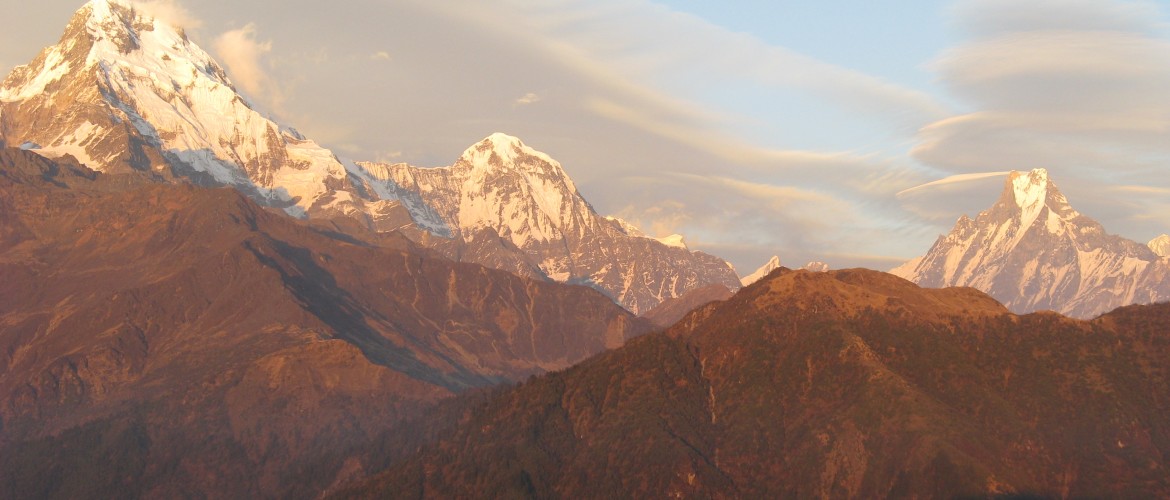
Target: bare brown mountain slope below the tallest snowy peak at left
204, 346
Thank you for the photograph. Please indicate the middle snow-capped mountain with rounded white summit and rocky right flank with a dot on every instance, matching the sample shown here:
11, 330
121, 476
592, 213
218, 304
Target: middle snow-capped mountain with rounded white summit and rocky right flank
512, 196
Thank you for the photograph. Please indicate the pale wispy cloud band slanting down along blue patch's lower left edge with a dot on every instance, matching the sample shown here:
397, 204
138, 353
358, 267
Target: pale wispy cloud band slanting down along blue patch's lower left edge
653, 61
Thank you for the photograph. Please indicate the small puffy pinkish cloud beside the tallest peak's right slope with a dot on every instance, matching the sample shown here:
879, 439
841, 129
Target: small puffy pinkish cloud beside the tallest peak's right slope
245, 59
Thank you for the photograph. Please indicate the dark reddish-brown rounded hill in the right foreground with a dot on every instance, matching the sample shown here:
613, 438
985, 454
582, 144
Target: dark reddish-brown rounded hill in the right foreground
850, 385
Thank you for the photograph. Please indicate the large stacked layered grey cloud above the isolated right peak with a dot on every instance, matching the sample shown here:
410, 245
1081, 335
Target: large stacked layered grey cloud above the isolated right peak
1075, 86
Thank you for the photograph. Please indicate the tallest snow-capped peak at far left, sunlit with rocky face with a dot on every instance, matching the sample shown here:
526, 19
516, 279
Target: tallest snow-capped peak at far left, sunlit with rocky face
123, 91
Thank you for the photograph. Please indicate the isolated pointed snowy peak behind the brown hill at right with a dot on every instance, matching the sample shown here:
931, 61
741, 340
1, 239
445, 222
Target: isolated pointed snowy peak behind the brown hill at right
1033, 252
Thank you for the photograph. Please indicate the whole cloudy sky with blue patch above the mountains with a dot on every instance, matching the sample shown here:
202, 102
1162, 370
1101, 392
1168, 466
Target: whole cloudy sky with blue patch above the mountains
846, 132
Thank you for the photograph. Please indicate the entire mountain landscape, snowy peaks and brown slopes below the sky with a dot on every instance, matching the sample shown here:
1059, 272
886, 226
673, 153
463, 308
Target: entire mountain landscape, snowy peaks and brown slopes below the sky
197, 302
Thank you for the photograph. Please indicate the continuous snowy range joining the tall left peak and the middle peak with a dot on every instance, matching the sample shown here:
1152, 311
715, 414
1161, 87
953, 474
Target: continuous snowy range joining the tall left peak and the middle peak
122, 92
